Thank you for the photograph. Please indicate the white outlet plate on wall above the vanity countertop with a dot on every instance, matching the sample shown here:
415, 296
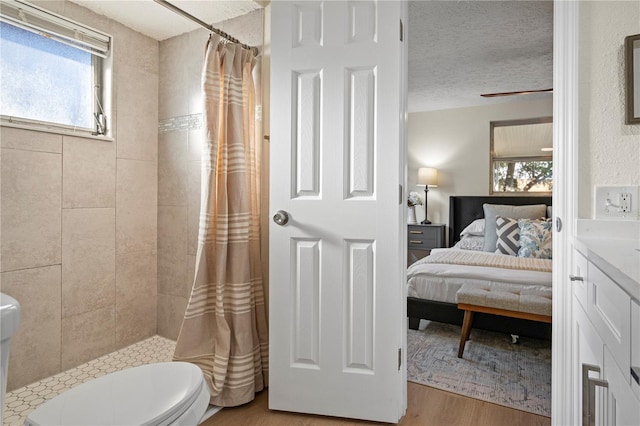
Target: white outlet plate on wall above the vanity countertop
616, 202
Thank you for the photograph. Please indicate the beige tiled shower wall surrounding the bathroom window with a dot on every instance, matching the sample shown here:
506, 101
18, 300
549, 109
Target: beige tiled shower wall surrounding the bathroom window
78, 222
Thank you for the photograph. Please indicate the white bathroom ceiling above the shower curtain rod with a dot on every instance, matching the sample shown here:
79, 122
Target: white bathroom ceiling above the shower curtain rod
158, 22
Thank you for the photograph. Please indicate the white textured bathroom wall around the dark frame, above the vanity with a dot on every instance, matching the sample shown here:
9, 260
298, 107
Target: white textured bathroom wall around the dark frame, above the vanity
609, 149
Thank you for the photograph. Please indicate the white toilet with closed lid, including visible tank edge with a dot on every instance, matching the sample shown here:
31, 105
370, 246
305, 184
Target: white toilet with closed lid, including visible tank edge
167, 393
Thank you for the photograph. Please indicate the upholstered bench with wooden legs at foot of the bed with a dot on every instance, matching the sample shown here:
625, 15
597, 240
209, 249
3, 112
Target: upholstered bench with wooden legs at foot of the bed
509, 300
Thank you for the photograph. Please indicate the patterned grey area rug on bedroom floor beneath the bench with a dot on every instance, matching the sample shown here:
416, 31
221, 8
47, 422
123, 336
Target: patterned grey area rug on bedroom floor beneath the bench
493, 369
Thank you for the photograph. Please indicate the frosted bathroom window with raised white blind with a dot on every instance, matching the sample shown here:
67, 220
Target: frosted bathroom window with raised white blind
51, 70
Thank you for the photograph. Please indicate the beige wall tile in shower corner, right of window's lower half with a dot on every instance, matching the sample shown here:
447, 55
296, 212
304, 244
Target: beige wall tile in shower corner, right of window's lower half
137, 111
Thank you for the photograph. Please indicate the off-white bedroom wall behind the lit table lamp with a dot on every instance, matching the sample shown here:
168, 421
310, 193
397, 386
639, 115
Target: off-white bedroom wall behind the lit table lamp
456, 142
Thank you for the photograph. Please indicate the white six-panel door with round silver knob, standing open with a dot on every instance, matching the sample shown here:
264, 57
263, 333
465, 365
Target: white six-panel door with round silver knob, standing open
337, 305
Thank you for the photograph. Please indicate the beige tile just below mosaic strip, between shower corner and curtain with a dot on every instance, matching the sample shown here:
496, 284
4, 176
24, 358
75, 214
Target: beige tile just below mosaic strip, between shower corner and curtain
172, 168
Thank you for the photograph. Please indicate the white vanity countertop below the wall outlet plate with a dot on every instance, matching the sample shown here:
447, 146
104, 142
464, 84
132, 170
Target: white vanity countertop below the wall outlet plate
617, 254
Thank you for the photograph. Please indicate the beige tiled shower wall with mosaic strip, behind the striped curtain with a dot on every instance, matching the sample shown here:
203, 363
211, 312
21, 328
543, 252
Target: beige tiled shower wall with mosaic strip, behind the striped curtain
179, 147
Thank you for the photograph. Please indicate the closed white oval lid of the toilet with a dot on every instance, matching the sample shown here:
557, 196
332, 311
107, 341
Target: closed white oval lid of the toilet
152, 394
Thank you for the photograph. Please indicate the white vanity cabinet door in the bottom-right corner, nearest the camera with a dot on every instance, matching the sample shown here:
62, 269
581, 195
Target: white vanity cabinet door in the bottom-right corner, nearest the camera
623, 406
